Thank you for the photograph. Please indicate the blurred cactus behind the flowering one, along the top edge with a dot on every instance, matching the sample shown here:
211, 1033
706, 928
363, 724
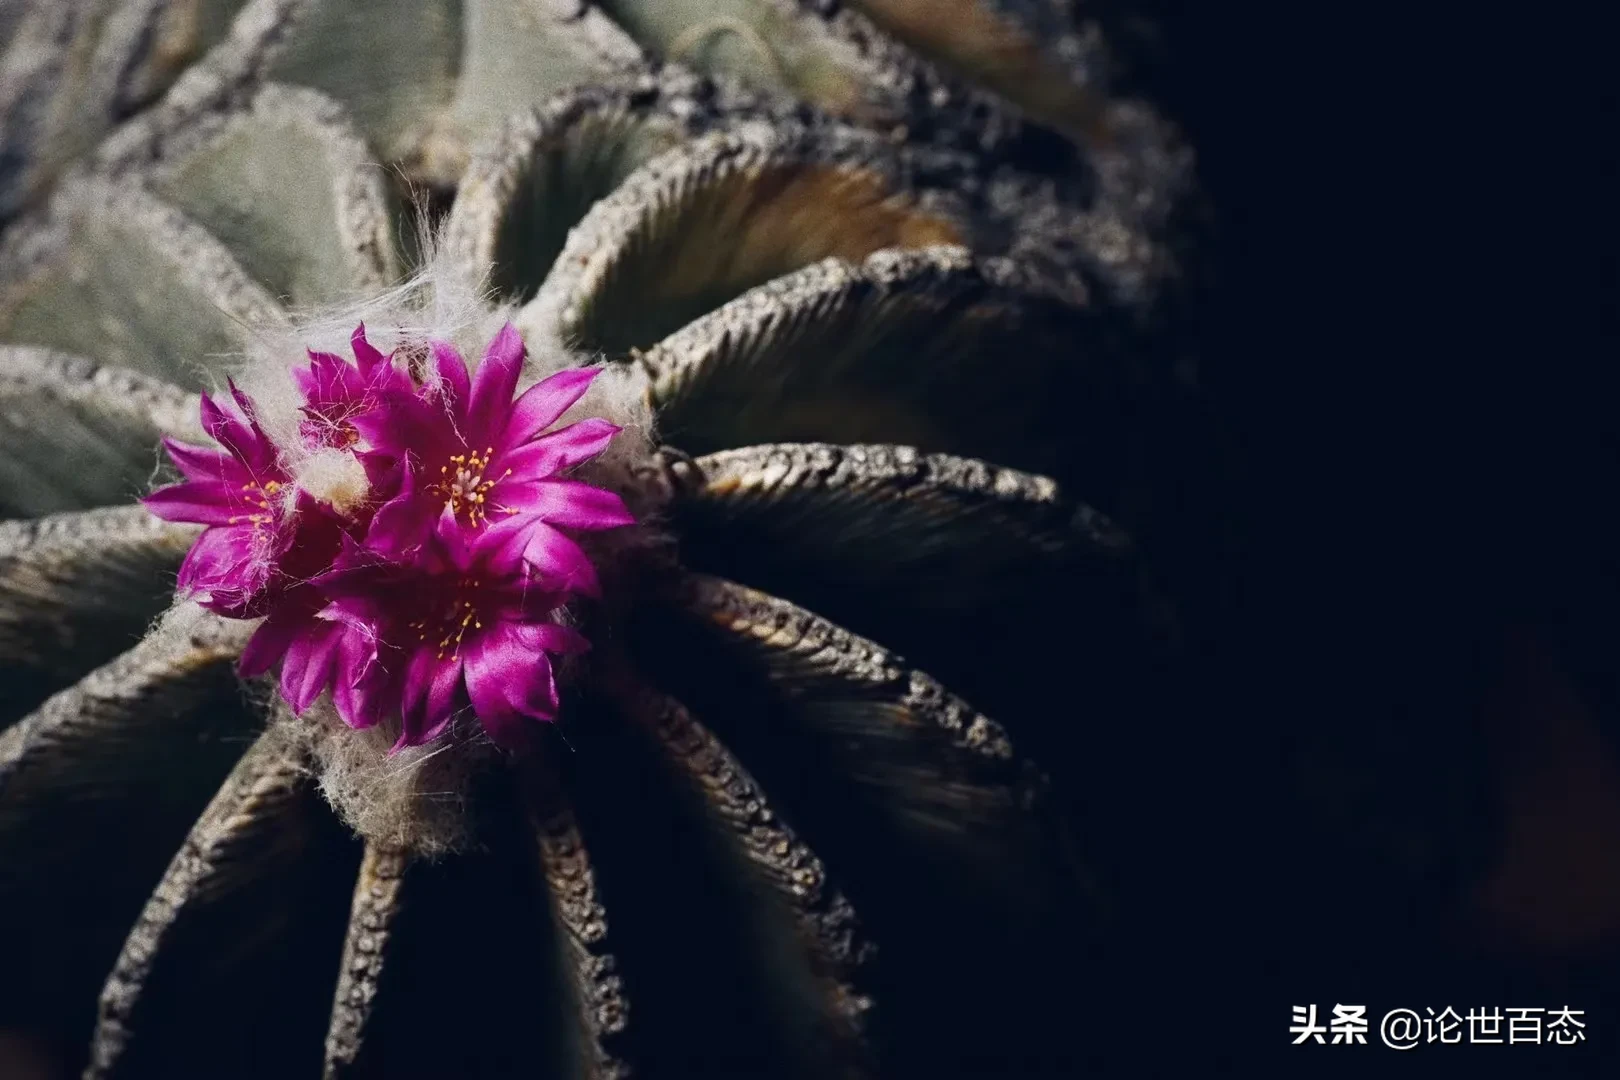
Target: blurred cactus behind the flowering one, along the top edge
1021, 85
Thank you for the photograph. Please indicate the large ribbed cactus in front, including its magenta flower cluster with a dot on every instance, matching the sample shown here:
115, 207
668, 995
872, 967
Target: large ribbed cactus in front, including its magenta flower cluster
811, 438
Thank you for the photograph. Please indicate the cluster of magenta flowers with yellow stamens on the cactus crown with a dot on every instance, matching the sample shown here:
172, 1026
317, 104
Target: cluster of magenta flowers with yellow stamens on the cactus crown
440, 589
